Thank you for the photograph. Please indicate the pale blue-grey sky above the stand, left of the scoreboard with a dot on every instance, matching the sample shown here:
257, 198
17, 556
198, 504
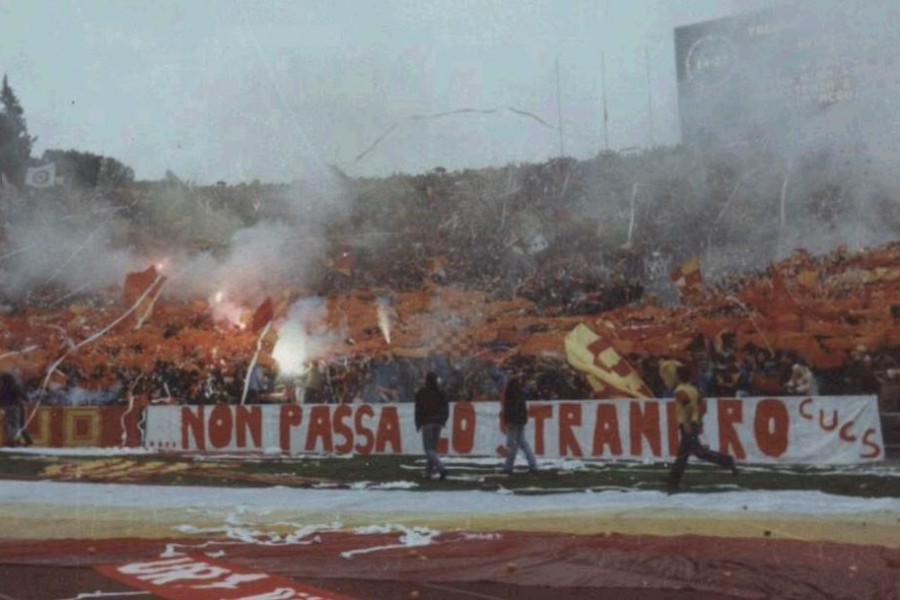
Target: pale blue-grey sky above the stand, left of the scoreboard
277, 90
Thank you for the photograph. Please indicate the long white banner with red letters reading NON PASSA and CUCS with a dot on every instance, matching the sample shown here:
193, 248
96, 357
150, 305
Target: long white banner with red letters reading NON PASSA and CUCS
817, 431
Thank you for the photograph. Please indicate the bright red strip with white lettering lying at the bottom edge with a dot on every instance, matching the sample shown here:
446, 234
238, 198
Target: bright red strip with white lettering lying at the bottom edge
200, 578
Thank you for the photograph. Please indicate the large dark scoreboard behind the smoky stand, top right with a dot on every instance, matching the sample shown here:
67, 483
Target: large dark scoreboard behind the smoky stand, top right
750, 77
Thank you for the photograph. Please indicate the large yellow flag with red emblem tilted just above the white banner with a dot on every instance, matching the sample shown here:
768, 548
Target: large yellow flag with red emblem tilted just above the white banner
608, 373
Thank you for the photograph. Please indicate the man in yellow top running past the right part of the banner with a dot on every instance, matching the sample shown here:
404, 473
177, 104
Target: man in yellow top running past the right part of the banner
690, 409
